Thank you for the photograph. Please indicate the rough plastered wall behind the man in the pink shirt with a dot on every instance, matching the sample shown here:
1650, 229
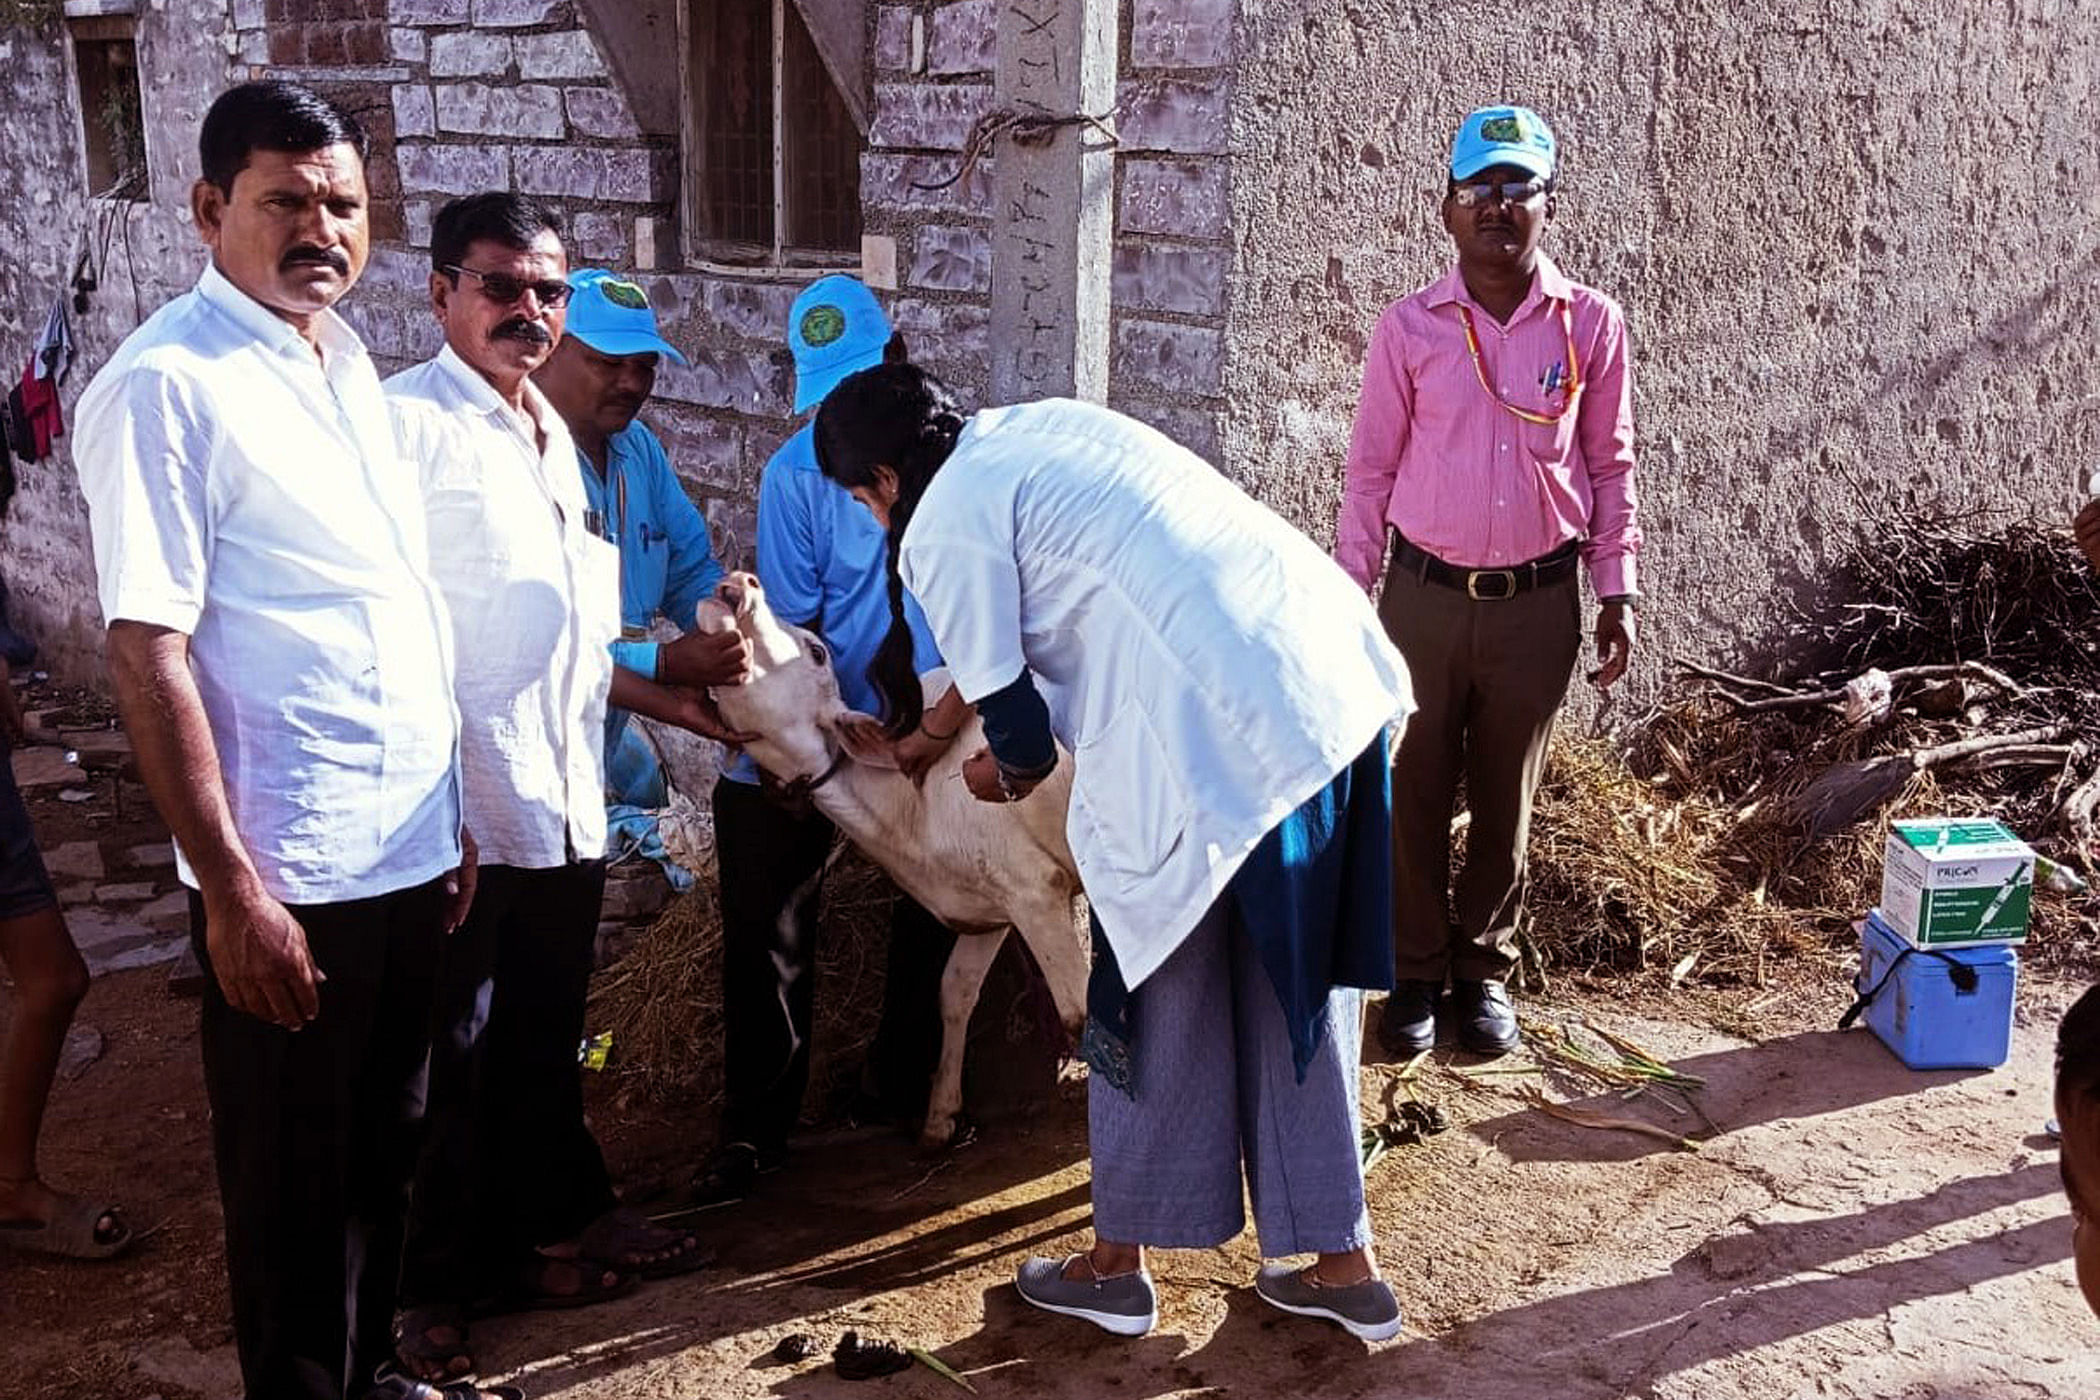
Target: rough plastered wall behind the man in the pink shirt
1855, 245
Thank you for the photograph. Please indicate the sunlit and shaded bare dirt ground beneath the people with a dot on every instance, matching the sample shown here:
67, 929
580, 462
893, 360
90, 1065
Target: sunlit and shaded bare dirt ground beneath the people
1855, 1231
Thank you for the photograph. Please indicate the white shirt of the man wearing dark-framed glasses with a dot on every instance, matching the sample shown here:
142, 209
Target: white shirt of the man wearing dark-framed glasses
534, 601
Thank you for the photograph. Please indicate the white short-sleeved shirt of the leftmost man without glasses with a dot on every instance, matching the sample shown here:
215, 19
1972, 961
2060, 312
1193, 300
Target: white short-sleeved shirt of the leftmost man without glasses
249, 494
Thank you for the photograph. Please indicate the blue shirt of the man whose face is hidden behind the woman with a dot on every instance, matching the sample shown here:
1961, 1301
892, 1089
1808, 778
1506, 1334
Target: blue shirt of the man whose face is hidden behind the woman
824, 566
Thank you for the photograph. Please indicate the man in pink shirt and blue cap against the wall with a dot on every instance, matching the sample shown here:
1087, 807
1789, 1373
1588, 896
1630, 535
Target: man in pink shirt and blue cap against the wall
1496, 446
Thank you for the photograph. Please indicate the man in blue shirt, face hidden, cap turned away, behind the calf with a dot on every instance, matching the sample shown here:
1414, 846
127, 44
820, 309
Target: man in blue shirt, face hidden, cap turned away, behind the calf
824, 566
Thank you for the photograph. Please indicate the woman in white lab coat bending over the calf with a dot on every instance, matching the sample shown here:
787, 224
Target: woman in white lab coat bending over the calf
1230, 700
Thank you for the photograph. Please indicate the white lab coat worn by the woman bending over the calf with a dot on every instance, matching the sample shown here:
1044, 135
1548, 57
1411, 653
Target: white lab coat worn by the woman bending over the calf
1206, 664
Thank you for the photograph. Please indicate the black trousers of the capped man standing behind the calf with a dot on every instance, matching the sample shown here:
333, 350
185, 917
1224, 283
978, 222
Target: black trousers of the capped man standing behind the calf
772, 864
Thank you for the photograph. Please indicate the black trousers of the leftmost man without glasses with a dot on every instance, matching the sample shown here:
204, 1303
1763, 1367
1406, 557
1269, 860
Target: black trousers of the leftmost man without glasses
316, 1141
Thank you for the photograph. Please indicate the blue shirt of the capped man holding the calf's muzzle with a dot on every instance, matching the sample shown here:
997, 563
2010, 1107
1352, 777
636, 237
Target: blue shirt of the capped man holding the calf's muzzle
667, 559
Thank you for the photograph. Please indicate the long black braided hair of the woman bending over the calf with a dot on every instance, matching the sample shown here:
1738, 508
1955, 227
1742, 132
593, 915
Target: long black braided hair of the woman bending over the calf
902, 419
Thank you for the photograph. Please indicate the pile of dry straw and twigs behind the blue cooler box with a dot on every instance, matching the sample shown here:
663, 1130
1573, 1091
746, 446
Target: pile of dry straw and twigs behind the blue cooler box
1742, 822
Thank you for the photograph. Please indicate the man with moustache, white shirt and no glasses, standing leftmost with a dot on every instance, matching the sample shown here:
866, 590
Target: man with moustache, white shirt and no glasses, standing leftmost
282, 662
